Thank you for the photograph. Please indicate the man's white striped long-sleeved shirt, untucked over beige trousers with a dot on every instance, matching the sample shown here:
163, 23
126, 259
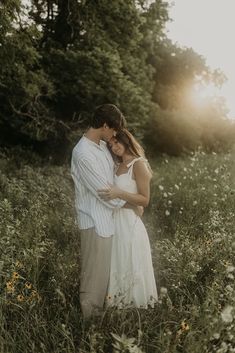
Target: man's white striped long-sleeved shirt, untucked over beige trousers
92, 168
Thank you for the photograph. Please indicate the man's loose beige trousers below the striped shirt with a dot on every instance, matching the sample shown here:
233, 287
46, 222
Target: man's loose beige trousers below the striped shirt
95, 269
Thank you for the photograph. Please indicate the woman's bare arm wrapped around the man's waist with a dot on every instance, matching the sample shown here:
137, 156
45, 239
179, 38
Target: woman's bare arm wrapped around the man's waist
142, 177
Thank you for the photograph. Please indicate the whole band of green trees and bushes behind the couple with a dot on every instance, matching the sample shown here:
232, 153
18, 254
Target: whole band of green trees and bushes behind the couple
60, 59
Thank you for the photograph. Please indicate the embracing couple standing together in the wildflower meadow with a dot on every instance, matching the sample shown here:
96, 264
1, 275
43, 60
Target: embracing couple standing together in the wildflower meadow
112, 184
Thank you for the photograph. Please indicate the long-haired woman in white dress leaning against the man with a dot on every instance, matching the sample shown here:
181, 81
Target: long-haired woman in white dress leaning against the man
132, 280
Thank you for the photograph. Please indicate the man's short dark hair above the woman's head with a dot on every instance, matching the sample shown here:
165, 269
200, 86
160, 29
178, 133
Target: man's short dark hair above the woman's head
108, 114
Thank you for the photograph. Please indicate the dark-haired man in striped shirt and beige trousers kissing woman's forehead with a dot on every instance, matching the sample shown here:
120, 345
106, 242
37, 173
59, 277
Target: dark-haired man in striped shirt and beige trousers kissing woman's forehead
92, 168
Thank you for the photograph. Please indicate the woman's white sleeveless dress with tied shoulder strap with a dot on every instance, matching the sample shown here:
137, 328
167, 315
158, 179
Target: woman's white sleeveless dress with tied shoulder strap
132, 282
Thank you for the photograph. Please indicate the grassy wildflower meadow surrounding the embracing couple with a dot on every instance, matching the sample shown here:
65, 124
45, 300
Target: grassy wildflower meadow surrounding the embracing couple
190, 221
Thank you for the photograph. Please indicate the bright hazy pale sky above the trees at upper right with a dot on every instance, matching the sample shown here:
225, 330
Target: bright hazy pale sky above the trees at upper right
208, 26
